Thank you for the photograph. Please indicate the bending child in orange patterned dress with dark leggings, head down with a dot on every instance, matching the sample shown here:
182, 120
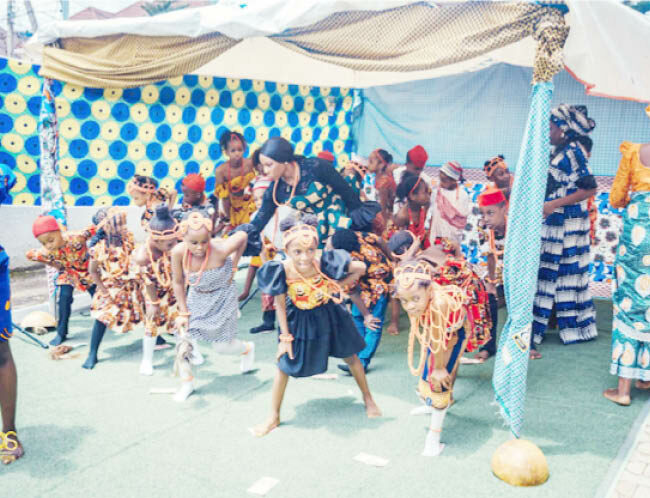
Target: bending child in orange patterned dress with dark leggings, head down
117, 304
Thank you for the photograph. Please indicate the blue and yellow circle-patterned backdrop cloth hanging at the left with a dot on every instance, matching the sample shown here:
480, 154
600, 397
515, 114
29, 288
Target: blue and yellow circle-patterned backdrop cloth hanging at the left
164, 130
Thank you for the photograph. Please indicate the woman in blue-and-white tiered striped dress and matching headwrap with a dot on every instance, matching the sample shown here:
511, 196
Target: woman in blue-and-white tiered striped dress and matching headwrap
563, 277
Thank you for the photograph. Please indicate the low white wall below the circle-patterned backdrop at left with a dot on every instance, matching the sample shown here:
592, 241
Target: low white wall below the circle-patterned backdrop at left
16, 228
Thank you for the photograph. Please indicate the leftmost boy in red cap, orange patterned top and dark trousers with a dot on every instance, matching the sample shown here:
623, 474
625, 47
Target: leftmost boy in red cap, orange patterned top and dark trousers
68, 253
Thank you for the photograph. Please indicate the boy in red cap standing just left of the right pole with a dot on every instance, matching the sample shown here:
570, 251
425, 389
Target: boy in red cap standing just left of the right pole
494, 213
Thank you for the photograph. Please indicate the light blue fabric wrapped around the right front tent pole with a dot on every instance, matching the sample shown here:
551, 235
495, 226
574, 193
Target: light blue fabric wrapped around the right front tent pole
521, 259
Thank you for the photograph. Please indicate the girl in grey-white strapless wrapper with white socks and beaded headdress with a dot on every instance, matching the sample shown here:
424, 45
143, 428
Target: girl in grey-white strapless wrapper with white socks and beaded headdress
208, 310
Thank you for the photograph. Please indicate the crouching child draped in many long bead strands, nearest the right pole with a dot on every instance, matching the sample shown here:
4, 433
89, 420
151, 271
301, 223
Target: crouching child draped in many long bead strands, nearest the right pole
446, 305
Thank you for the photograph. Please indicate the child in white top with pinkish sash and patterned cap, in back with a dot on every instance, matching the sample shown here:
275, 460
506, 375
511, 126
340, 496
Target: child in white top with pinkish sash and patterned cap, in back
451, 206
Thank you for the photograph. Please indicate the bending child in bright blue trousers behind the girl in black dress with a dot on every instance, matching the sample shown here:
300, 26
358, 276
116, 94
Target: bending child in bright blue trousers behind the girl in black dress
371, 294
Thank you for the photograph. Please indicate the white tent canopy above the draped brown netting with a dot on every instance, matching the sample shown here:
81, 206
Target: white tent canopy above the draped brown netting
608, 48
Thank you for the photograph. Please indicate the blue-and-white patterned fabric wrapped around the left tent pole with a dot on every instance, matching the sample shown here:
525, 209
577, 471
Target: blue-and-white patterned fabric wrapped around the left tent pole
51, 193
